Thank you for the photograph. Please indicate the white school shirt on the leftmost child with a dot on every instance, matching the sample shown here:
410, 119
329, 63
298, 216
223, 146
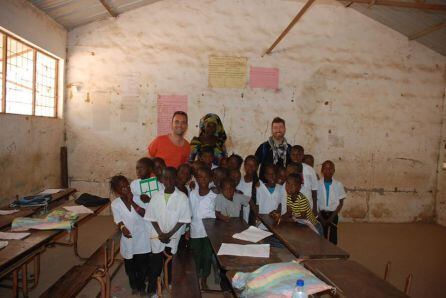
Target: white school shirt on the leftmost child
139, 243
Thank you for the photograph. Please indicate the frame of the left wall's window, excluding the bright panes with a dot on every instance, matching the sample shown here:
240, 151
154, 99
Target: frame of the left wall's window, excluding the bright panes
3, 92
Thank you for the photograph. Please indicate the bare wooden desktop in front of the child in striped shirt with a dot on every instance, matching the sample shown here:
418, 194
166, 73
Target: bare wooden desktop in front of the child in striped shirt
302, 241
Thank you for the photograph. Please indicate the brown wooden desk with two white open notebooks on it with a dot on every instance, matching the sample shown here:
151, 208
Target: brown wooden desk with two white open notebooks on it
221, 232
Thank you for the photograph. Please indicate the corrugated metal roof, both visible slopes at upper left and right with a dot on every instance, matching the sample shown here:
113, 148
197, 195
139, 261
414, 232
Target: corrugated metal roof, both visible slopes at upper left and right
73, 13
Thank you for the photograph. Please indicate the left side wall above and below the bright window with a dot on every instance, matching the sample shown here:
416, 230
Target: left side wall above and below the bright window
29, 146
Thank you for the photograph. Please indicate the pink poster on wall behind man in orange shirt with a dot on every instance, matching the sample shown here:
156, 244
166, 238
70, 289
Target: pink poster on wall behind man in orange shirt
167, 105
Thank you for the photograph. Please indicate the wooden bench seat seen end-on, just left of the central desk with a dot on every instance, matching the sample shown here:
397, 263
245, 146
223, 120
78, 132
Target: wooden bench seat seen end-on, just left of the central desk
184, 275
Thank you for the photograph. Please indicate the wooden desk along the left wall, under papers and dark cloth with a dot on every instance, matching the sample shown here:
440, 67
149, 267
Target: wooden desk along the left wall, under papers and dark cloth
57, 199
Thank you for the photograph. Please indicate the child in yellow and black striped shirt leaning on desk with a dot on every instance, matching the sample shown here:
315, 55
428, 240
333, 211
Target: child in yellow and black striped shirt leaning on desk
297, 204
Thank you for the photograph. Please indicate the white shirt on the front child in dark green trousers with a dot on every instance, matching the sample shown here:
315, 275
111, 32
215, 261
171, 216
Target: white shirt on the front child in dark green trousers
201, 207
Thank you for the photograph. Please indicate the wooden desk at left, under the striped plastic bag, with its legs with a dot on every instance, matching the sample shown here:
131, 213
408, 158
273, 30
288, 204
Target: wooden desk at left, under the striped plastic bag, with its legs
19, 253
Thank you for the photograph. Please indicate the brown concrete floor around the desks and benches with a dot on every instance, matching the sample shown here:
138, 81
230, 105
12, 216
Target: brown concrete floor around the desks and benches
412, 248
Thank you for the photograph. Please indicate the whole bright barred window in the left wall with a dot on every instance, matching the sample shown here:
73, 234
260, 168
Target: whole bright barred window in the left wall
28, 79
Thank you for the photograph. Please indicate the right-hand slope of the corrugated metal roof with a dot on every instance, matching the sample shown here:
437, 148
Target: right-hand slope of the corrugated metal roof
409, 21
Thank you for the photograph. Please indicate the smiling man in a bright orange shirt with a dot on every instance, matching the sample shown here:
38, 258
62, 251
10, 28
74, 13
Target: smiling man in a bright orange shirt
173, 147
